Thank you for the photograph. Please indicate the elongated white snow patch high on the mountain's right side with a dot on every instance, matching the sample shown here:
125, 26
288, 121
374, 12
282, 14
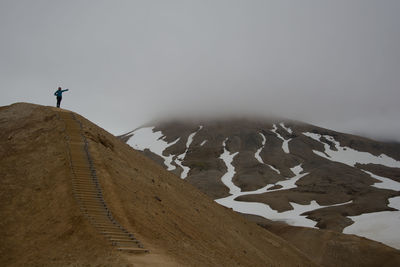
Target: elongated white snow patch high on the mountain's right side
350, 156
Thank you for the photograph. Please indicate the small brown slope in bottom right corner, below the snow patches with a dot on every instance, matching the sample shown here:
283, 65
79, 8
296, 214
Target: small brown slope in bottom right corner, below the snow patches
329, 248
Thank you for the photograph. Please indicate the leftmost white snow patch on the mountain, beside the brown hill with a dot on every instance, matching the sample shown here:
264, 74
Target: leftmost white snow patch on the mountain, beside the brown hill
145, 138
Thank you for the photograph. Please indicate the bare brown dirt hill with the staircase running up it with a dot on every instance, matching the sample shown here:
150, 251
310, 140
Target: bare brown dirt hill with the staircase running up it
42, 224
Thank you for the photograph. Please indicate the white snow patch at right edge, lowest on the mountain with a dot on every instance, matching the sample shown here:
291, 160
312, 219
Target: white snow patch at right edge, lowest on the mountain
381, 226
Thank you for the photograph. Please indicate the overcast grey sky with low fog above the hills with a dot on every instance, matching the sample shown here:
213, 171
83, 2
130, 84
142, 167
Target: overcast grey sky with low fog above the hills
332, 63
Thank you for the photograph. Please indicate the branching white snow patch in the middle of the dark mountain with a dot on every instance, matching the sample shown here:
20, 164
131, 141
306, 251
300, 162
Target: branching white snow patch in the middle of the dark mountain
292, 217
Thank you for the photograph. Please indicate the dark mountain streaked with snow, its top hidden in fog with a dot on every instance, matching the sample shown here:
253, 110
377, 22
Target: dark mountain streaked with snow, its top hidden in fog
286, 171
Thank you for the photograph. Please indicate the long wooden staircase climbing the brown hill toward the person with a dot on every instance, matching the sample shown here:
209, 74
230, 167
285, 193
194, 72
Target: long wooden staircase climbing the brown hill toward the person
87, 189
